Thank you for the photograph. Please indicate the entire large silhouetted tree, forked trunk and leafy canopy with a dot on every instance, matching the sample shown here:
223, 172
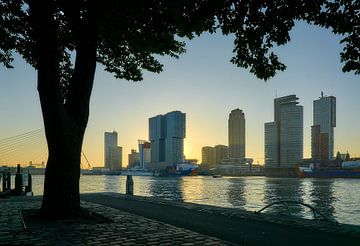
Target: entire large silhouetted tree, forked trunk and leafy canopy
65, 39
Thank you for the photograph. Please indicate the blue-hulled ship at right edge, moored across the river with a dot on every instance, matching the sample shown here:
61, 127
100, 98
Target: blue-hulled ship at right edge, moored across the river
330, 169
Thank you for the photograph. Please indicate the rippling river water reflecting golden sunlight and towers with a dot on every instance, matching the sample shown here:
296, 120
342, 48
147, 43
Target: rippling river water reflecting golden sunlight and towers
336, 198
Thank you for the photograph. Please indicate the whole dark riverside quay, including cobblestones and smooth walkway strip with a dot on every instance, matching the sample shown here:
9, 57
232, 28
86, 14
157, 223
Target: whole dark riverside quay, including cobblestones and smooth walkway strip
136, 220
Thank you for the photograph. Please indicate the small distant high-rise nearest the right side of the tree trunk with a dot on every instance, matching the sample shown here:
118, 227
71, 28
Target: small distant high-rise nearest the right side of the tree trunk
112, 152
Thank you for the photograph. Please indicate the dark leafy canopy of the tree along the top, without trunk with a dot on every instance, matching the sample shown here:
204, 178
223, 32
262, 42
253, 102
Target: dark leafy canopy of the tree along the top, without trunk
129, 34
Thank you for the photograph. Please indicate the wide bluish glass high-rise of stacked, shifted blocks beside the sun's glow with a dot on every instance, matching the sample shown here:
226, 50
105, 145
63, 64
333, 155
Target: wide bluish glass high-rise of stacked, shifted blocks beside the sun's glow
166, 134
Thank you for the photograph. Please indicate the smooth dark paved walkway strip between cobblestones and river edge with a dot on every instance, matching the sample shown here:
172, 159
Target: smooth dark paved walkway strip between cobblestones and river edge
234, 225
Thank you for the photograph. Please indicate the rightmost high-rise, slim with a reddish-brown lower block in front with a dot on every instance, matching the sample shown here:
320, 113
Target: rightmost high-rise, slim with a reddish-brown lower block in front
322, 131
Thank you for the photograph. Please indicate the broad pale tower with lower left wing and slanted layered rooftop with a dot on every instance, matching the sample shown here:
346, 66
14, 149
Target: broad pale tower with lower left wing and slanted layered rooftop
284, 136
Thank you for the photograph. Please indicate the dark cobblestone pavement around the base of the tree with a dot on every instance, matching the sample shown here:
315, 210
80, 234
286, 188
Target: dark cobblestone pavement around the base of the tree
126, 229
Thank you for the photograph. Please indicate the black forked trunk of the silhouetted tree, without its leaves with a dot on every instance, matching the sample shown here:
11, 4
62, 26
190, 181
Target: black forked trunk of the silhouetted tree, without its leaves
65, 118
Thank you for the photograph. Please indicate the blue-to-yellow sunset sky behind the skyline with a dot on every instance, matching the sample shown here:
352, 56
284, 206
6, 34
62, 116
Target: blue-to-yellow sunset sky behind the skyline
203, 84
